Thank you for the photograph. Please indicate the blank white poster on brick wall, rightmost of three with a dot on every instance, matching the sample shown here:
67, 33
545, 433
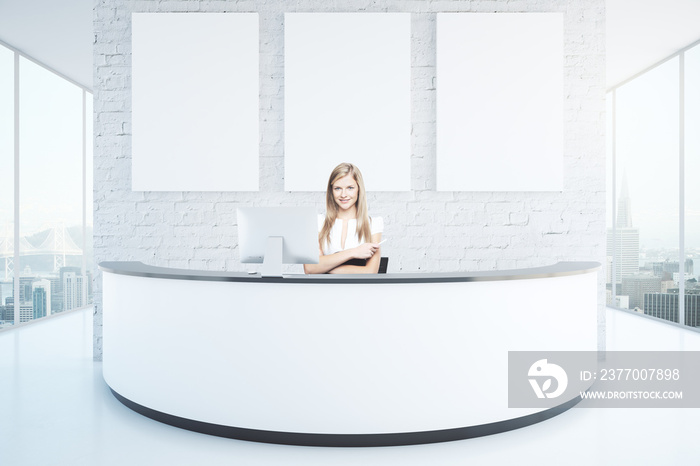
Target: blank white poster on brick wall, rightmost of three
500, 101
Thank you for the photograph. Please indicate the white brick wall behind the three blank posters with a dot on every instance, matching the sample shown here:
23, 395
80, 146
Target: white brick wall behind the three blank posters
429, 230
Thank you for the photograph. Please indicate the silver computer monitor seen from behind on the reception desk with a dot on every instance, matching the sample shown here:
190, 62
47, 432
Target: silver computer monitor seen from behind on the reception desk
276, 235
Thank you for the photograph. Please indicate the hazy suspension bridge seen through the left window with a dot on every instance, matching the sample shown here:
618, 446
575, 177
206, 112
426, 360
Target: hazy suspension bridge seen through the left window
58, 244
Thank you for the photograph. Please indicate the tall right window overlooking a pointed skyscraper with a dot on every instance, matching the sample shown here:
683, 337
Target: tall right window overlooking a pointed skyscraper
654, 207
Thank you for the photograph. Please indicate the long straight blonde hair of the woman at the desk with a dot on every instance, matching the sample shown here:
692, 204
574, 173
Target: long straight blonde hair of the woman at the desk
364, 232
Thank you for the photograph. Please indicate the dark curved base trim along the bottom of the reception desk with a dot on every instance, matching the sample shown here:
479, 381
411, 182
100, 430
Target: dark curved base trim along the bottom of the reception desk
347, 440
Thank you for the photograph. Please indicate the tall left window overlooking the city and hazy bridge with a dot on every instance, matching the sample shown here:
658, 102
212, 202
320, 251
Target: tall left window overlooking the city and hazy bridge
46, 273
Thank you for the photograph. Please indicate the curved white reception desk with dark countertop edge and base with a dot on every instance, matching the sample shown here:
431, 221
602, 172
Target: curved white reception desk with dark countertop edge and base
328, 360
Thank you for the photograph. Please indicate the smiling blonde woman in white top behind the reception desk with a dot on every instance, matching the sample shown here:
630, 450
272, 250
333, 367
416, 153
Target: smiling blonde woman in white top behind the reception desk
347, 232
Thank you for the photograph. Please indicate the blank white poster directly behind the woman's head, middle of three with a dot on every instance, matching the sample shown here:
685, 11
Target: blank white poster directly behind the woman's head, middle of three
347, 98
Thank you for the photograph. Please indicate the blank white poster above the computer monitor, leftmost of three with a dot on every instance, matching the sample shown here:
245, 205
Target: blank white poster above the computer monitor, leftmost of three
195, 102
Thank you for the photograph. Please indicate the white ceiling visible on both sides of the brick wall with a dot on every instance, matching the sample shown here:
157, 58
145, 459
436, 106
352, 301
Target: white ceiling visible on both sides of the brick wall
59, 33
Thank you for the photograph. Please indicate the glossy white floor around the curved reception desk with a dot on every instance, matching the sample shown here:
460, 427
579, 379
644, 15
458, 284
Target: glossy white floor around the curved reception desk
55, 409
